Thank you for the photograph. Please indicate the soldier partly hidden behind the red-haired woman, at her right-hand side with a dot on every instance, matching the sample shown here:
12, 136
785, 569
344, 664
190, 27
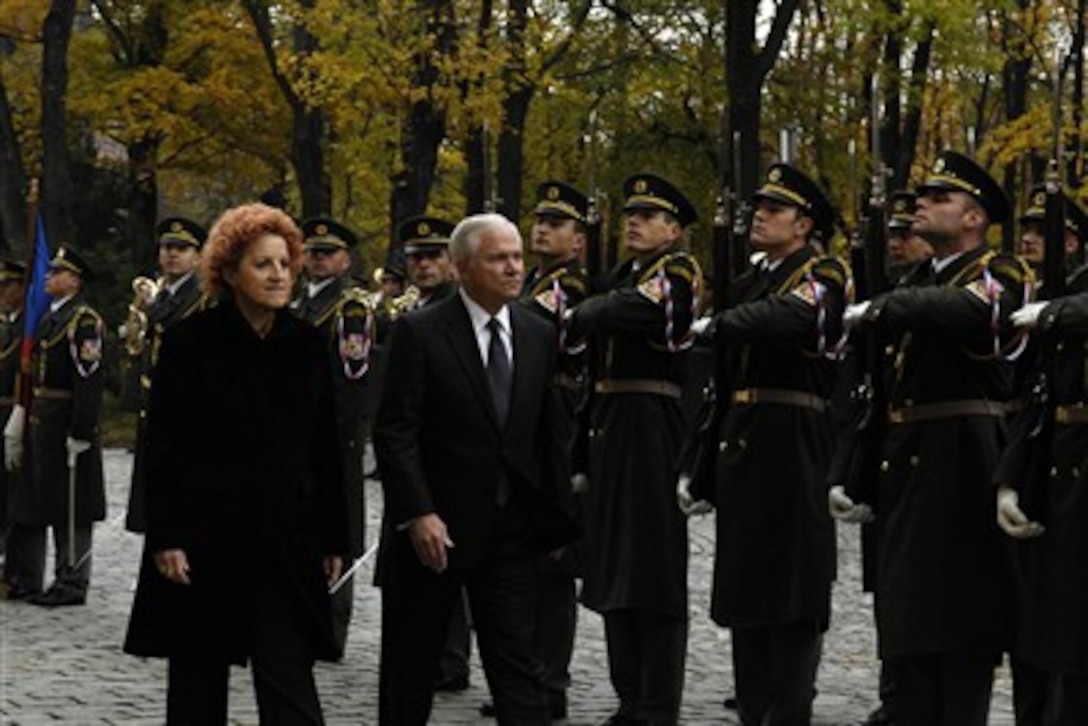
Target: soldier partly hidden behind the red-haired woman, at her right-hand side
345, 318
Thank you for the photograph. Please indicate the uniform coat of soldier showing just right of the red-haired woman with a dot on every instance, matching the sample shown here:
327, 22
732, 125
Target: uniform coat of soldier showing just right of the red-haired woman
347, 324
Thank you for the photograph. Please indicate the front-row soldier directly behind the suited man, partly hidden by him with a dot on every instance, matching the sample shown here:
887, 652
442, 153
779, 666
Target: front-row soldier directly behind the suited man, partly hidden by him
559, 284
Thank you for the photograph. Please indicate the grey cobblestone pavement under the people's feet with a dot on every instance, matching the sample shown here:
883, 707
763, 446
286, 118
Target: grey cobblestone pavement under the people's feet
66, 666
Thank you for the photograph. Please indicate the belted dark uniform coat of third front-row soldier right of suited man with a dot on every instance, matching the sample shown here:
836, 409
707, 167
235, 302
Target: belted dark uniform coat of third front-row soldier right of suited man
776, 548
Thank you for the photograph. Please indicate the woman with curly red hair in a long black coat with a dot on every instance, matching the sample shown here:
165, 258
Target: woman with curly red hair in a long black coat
246, 506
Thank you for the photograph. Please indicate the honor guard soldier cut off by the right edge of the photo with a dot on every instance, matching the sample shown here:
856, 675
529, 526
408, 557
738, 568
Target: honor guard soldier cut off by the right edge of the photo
1043, 500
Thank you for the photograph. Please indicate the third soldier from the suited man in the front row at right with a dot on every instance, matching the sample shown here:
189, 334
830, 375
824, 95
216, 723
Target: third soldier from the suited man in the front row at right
771, 442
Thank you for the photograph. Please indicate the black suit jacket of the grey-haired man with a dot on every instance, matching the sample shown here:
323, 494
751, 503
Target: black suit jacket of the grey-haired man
441, 448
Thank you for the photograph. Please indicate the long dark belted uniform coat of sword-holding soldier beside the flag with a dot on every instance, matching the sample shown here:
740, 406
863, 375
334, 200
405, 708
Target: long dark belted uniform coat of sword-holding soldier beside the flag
67, 380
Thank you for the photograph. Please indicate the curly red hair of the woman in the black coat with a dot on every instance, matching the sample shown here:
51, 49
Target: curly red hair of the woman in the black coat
232, 236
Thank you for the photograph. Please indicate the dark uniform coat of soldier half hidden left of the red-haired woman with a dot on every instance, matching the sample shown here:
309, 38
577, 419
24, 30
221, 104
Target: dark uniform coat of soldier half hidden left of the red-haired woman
165, 312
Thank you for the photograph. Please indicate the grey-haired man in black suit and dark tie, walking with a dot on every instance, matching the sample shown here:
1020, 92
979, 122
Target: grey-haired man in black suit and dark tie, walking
474, 473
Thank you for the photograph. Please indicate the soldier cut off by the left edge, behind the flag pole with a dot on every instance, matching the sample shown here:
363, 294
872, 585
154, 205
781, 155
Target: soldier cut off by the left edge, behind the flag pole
13, 292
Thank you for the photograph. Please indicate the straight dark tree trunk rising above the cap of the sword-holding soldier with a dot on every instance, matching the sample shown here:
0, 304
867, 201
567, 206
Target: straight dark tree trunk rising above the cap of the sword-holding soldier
56, 182
